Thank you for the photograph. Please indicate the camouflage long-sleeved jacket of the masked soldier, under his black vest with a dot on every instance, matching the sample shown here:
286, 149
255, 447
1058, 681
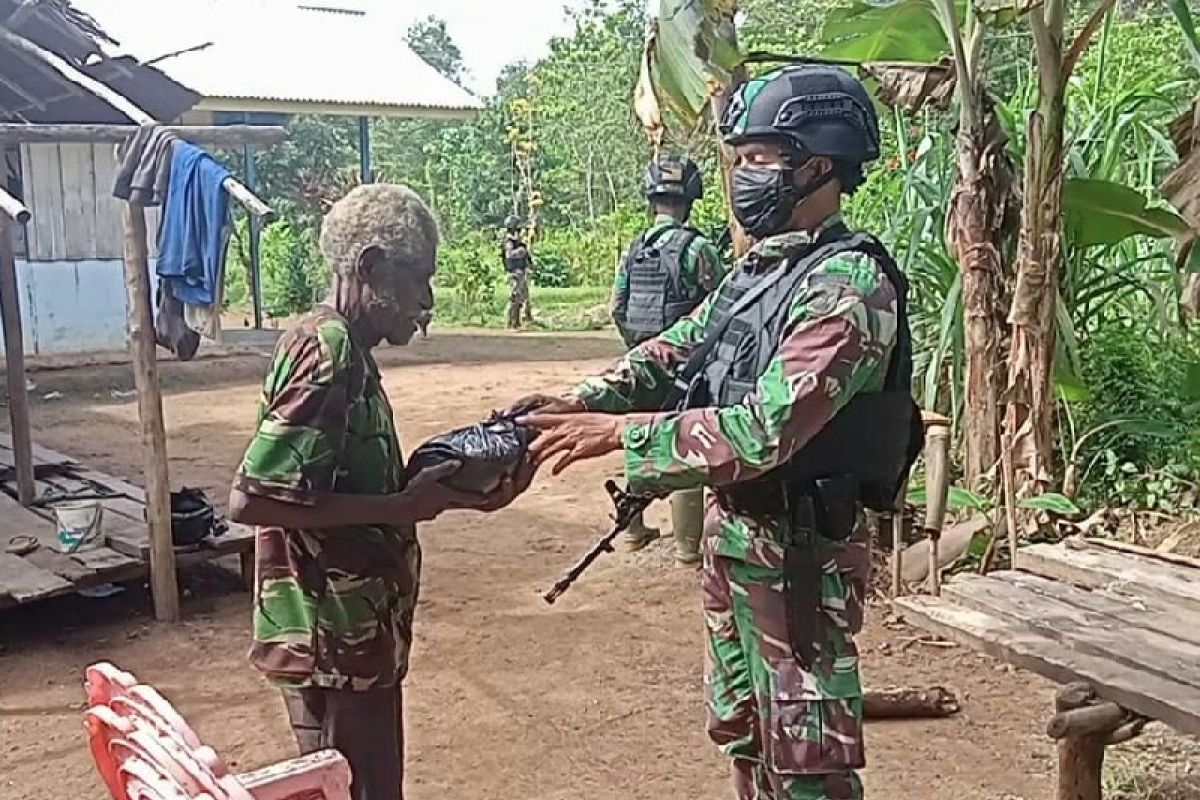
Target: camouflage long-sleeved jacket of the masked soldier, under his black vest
837, 342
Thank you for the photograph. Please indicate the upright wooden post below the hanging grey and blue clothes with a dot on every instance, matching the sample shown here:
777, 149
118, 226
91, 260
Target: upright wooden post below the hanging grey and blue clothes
154, 435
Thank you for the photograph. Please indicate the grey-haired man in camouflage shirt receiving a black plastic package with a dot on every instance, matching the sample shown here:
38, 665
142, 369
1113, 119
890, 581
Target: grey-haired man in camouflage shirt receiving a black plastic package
338, 557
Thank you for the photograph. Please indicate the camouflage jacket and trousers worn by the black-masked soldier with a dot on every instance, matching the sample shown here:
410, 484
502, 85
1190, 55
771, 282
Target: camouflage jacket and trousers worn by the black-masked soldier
794, 733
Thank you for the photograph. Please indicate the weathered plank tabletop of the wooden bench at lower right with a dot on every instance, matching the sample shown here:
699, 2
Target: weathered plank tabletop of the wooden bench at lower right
1123, 619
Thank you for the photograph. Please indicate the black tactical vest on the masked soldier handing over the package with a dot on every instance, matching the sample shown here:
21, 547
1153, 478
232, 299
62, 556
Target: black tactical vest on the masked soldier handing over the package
875, 437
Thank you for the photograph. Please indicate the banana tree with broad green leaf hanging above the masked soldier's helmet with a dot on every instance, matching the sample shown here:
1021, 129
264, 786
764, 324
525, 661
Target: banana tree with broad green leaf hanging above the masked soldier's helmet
946, 39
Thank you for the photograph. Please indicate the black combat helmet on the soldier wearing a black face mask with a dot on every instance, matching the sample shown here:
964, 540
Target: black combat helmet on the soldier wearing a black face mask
824, 111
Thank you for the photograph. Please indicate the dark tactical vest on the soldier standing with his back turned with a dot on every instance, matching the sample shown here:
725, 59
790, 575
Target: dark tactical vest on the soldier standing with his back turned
658, 297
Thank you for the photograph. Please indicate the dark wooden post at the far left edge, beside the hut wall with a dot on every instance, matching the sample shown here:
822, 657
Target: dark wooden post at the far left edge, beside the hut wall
15, 366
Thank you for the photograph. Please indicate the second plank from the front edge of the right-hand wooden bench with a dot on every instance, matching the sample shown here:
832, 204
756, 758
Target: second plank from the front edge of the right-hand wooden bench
1082, 630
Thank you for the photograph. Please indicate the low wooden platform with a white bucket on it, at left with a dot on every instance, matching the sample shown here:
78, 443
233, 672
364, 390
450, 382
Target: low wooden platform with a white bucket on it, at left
127, 554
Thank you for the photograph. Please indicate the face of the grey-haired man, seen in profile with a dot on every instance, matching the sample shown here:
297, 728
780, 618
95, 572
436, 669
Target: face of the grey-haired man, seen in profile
397, 294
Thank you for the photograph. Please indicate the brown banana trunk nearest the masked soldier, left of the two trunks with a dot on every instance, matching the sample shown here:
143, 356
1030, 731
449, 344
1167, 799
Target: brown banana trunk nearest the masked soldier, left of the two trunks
975, 224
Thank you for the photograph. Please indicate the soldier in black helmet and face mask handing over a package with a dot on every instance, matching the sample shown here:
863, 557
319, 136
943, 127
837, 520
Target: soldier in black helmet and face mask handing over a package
788, 711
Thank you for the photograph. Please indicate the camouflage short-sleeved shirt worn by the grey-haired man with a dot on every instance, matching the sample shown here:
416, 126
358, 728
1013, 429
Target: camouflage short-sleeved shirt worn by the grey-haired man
334, 607
